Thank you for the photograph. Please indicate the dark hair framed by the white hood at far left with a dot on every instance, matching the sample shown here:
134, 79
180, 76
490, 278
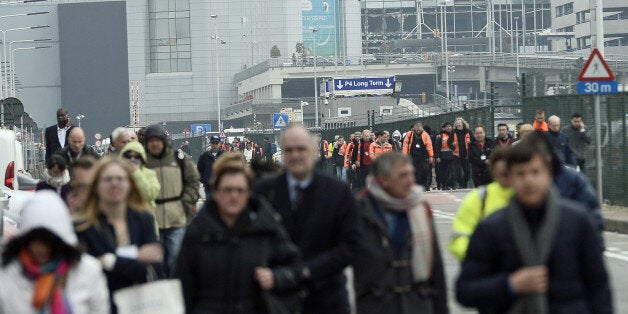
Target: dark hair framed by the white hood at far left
59, 249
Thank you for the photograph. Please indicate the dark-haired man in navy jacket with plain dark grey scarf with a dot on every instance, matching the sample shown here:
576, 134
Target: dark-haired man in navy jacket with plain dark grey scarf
540, 254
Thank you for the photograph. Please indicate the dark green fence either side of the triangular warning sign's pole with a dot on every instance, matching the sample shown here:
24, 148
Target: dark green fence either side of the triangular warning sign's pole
614, 136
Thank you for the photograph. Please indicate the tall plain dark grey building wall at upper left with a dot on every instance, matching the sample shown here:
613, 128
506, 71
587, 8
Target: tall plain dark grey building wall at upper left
94, 64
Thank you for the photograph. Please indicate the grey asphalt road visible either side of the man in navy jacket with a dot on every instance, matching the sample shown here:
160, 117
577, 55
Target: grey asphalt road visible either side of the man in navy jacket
445, 205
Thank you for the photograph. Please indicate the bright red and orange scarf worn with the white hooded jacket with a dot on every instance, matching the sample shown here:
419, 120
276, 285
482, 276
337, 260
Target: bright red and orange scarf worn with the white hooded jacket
50, 279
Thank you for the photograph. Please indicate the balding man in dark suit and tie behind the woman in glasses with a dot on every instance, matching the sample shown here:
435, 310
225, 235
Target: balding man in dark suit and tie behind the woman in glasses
320, 215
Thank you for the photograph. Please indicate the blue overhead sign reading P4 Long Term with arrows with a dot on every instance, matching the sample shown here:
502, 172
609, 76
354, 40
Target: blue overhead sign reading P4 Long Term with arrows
364, 86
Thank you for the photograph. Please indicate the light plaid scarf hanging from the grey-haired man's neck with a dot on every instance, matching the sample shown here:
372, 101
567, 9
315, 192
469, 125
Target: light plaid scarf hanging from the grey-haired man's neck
420, 225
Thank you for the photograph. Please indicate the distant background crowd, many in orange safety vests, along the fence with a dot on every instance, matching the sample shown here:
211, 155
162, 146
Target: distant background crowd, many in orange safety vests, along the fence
456, 157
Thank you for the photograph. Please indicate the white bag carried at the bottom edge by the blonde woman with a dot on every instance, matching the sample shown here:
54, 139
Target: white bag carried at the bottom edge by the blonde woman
157, 297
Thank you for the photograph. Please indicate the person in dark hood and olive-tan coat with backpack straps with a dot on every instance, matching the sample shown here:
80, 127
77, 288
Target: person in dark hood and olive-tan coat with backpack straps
177, 198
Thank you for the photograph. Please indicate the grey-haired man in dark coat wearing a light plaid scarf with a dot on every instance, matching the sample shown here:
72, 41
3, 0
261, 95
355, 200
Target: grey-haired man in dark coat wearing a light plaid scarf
398, 268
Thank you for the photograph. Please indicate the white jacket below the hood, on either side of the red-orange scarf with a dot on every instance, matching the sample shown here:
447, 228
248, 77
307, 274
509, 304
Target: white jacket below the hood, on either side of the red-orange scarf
85, 288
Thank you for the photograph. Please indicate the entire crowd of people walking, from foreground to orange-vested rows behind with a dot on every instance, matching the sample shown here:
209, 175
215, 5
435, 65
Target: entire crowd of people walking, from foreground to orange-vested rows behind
272, 239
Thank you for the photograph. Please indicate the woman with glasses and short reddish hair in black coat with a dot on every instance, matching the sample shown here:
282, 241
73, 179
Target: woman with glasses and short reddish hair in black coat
235, 248
